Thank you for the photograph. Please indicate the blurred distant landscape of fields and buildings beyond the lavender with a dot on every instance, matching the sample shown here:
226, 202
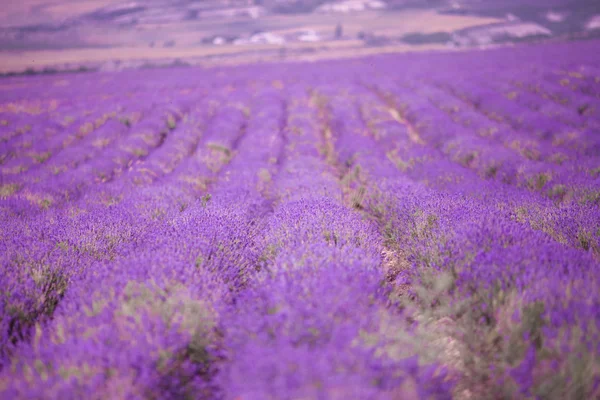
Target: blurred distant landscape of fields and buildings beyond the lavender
47, 36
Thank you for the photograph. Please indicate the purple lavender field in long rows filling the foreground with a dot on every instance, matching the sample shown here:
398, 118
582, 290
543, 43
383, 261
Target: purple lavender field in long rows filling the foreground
412, 226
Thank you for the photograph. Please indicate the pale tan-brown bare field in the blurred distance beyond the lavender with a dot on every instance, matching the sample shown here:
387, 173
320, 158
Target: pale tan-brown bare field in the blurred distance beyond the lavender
146, 42
